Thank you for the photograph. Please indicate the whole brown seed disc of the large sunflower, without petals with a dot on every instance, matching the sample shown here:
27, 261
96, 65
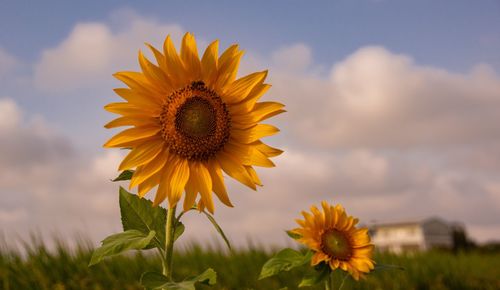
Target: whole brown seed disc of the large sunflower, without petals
195, 122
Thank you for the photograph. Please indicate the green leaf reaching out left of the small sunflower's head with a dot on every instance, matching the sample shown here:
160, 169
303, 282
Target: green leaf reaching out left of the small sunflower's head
284, 260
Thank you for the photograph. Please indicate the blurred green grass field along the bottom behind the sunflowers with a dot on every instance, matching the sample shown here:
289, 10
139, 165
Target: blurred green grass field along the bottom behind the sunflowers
39, 268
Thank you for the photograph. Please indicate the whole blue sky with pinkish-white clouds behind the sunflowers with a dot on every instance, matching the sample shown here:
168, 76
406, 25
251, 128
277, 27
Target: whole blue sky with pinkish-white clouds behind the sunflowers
393, 110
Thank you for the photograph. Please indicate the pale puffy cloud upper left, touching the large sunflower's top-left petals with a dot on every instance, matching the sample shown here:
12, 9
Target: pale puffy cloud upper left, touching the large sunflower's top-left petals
94, 51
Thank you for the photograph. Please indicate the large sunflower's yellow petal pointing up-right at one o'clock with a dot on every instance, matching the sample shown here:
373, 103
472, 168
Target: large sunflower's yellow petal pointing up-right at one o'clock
228, 67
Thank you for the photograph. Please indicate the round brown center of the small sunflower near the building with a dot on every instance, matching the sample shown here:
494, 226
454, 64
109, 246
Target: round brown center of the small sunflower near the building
336, 244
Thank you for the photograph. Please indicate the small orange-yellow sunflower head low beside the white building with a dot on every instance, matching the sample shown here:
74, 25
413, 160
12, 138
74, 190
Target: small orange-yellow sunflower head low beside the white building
332, 235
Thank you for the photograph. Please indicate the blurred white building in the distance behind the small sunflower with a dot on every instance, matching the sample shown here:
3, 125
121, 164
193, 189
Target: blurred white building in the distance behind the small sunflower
411, 236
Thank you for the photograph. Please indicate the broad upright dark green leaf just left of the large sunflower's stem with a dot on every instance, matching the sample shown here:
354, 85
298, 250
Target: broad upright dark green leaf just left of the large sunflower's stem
139, 214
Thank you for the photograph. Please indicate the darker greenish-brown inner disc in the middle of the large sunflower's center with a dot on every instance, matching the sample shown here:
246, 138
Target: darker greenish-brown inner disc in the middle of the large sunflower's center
196, 118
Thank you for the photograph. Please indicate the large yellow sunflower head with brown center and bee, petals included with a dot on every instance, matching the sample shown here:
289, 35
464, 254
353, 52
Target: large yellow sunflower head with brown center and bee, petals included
190, 120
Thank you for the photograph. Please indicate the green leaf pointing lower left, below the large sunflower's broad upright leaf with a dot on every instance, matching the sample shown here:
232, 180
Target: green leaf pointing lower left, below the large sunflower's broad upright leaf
119, 243
